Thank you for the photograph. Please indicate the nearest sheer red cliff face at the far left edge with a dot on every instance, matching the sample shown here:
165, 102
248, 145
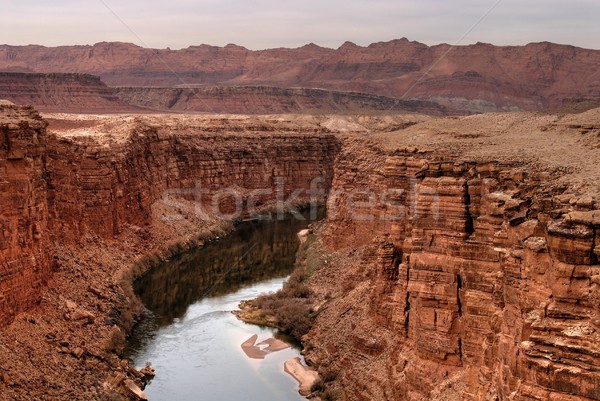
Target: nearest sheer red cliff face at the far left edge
25, 258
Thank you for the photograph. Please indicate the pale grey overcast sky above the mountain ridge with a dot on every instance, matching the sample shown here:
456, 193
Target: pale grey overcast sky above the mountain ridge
260, 24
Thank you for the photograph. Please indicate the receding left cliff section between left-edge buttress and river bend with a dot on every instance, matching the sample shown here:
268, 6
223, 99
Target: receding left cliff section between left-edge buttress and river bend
104, 183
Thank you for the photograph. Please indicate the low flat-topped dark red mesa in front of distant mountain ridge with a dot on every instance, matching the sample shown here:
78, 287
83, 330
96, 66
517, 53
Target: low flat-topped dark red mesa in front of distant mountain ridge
84, 93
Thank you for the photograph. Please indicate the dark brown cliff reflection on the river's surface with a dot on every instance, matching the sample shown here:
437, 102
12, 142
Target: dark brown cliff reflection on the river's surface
256, 251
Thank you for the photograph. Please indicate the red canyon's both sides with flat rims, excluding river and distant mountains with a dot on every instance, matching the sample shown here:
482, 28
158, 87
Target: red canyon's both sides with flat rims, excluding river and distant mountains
458, 259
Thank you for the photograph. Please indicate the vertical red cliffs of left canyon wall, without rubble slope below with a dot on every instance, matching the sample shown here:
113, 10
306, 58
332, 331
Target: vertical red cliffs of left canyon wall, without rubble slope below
130, 175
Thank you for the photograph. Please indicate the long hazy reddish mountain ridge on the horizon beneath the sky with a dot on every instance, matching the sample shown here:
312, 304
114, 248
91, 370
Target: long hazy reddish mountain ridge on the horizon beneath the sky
477, 78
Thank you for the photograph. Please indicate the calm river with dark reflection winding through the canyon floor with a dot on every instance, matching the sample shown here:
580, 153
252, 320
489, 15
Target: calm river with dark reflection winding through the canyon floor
188, 331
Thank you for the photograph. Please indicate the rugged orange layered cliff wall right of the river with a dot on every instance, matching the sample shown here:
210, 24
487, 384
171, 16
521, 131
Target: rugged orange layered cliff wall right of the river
474, 281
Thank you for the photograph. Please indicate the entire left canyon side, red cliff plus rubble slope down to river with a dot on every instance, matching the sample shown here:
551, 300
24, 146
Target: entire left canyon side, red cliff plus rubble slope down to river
101, 199
